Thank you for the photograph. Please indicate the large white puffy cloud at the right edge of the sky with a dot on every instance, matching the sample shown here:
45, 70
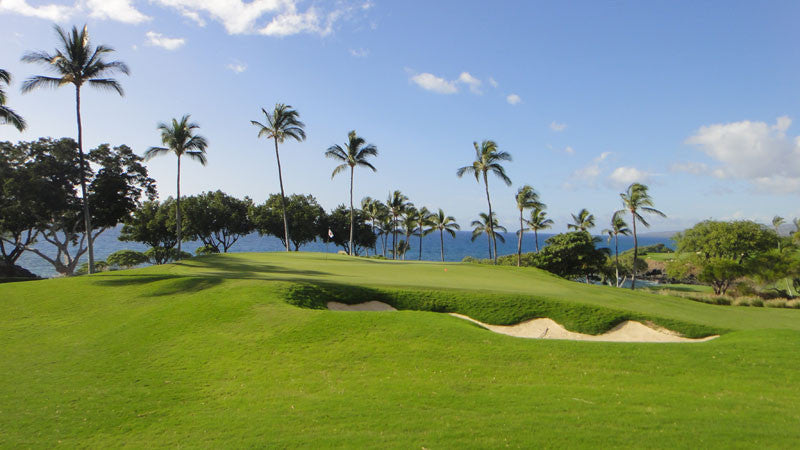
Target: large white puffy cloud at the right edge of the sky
753, 151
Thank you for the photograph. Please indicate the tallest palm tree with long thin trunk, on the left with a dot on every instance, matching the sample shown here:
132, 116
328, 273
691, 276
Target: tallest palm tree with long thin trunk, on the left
76, 62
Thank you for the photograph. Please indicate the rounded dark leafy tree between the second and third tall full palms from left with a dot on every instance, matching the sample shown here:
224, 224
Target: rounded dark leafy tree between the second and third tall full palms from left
217, 219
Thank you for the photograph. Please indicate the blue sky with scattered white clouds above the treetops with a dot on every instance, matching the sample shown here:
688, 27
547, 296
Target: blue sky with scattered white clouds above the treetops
697, 99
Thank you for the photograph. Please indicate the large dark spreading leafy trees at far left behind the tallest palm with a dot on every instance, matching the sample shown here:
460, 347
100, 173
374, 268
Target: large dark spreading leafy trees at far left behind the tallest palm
47, 178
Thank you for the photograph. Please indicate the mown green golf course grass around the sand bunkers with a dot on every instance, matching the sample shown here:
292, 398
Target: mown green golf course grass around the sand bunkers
215, 352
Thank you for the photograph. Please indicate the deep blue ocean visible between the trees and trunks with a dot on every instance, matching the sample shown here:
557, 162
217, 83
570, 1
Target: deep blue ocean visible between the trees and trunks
455, 249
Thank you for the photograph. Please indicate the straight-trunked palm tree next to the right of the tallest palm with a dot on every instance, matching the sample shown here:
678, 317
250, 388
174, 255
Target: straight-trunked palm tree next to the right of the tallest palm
179, 139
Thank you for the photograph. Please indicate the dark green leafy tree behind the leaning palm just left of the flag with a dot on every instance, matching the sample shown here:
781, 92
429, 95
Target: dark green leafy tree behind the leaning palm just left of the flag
302, 211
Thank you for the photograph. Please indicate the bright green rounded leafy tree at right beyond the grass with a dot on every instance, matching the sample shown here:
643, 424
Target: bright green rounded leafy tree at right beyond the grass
720, 252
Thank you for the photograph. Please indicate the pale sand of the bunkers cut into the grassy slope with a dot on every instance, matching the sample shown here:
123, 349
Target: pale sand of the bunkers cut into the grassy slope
628, 331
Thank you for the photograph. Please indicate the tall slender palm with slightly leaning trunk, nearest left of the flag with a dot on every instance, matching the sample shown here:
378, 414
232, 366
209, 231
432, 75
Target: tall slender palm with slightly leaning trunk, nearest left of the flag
282, 123
